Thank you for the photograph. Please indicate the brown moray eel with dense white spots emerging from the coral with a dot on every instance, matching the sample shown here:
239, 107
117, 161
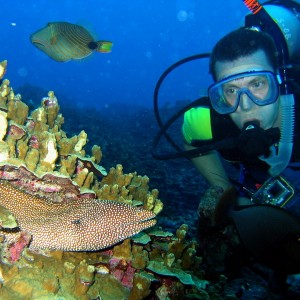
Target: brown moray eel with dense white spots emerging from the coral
80, 225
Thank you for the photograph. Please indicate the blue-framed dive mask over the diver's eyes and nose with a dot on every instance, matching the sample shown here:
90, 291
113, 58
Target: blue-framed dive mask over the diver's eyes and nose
262, 87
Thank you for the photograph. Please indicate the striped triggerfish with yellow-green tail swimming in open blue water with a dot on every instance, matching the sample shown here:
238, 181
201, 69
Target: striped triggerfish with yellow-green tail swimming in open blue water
64, 41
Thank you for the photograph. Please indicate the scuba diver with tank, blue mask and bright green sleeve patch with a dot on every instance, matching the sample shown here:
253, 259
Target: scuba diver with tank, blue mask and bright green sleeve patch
252, 108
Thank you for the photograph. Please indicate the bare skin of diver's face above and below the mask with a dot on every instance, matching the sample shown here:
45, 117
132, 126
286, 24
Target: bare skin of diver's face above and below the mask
247, 110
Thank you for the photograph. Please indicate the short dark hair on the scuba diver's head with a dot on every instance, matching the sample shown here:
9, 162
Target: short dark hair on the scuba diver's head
240, 43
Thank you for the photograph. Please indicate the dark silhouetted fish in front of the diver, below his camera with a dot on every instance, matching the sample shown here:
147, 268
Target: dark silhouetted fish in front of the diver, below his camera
270, 233
